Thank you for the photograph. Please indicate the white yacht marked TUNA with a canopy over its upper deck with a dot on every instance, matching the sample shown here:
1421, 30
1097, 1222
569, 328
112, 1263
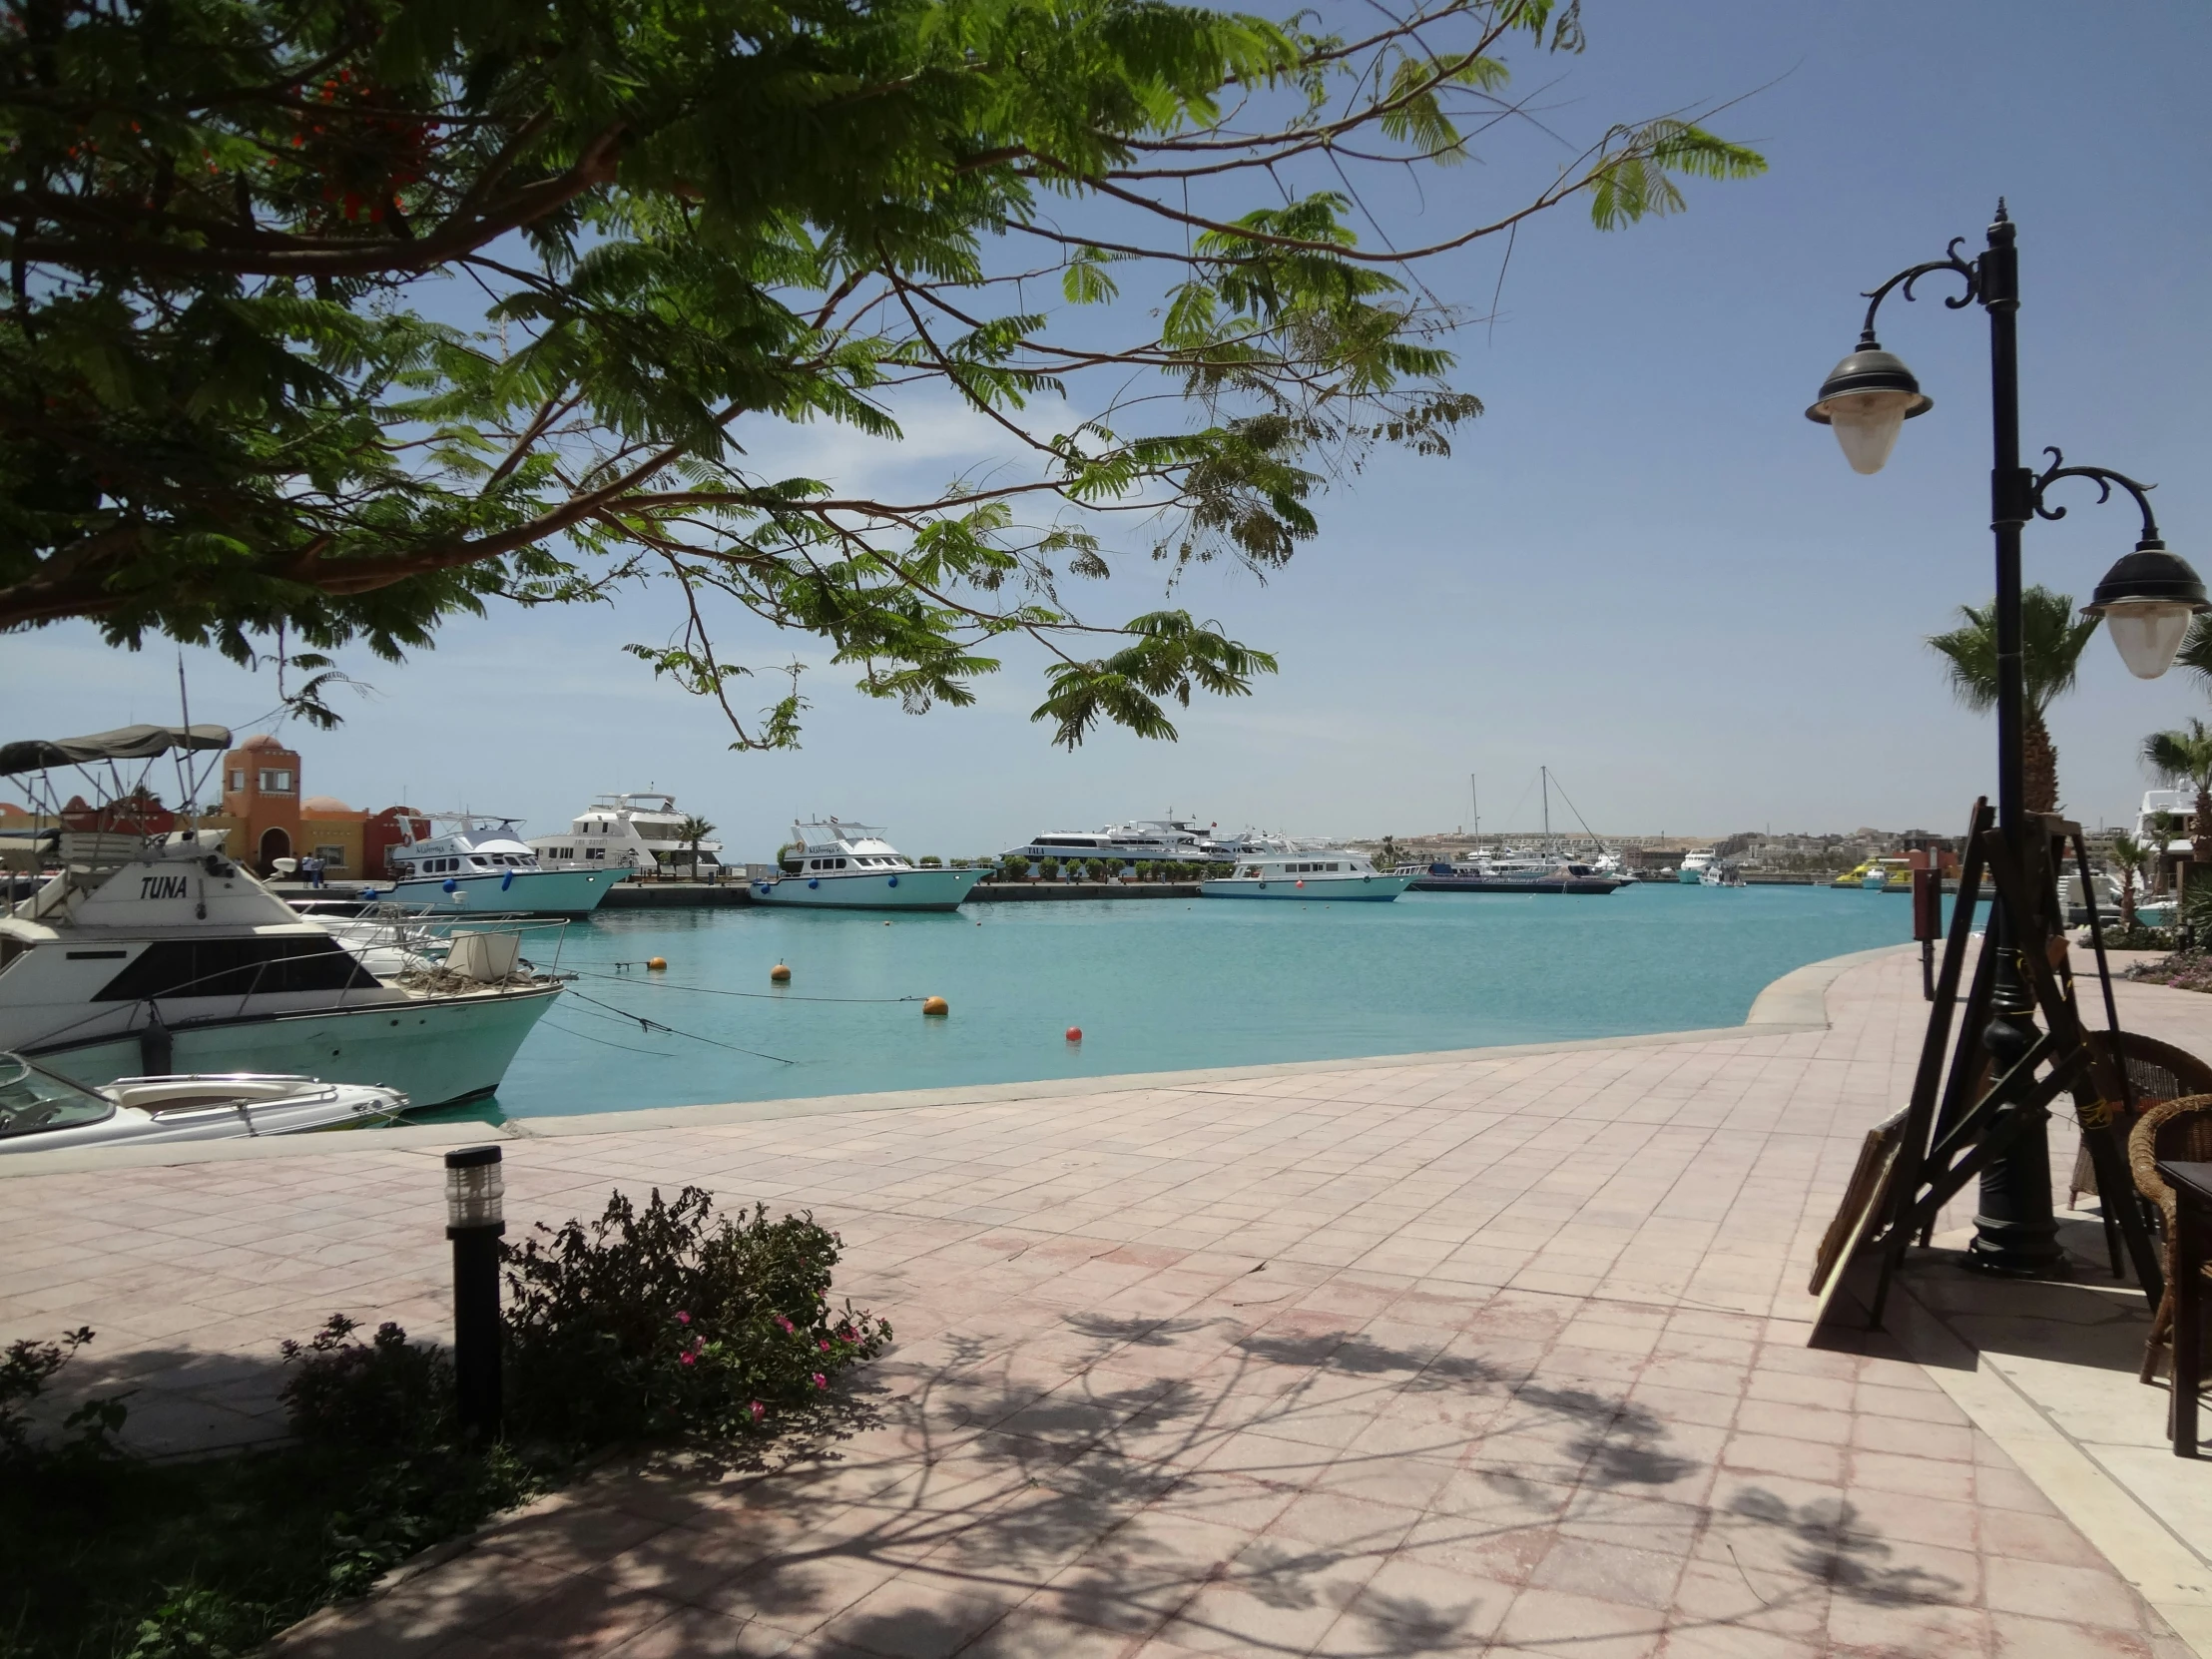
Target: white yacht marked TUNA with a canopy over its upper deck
154, 957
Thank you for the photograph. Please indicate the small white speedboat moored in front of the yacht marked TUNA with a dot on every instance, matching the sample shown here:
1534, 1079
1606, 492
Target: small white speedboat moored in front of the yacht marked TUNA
43, 1112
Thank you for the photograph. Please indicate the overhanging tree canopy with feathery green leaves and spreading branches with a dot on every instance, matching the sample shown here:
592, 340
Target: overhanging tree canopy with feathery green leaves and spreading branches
236, 408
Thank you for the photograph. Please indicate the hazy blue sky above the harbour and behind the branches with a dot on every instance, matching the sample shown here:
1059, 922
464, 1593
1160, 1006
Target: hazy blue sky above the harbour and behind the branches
1640, 567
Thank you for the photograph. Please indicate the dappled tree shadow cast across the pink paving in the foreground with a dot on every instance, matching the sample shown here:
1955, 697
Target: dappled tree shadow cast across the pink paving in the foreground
1222, 1485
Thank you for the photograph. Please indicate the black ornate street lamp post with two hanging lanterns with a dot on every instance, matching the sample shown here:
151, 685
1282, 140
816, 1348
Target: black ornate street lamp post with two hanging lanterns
2147, 603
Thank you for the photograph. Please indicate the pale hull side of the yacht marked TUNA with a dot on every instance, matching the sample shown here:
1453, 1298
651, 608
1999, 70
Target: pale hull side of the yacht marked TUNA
435, 1052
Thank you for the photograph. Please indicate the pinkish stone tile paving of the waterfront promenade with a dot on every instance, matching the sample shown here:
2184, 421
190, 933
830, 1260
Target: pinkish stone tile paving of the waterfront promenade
1499, 1355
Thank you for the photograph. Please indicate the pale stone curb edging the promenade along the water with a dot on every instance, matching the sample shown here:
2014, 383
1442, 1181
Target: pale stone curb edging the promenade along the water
1793, 1003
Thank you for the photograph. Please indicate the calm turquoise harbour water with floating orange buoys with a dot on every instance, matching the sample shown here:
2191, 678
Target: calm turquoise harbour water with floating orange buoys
1156, 985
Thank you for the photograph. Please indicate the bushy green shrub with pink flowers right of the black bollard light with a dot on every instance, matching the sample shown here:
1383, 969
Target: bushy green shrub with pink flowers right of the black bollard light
667, 1322
